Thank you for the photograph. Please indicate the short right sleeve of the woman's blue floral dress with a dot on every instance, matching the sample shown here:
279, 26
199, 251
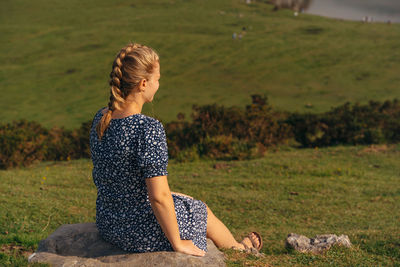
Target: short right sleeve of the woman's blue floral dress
153, 152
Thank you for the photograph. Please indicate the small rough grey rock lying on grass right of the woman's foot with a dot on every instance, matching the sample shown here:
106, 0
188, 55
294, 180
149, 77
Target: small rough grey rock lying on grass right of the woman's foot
318, 244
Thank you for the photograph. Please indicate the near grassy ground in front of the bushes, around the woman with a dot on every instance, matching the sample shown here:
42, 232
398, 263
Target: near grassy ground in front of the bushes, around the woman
341, 190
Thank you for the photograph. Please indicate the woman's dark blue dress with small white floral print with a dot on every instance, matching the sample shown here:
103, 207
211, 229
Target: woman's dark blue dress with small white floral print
132, 149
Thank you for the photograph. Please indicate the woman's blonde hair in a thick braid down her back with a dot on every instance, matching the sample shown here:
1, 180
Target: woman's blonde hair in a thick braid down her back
132, 64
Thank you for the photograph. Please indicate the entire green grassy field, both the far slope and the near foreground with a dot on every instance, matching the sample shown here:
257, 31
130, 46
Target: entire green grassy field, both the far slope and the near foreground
55, 61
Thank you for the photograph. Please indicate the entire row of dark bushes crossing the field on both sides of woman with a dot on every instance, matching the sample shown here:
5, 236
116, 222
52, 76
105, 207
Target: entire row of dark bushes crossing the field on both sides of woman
218, 132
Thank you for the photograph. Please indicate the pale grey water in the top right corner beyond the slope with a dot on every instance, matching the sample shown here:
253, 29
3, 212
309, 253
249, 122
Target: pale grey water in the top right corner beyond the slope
375, 10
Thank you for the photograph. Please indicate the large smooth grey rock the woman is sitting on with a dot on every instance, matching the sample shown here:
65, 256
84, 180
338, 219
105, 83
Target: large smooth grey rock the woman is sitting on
81, 245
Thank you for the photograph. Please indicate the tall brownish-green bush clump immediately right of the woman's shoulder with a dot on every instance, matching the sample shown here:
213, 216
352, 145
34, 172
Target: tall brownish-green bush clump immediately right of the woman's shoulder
229, 132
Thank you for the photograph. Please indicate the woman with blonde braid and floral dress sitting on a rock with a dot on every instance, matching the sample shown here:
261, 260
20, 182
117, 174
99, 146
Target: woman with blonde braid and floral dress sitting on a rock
135, 209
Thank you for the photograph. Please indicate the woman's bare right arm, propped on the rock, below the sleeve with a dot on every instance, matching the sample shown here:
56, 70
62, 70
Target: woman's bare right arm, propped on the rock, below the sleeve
163, 207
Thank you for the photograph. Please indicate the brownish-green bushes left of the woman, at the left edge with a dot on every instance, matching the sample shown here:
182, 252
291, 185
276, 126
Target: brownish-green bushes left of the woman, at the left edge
23, 142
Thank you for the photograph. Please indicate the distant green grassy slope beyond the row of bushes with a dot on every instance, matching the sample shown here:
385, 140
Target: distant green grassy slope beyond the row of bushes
57, 55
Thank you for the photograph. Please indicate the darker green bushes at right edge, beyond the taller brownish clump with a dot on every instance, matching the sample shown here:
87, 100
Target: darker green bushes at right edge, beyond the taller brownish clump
372, 123
